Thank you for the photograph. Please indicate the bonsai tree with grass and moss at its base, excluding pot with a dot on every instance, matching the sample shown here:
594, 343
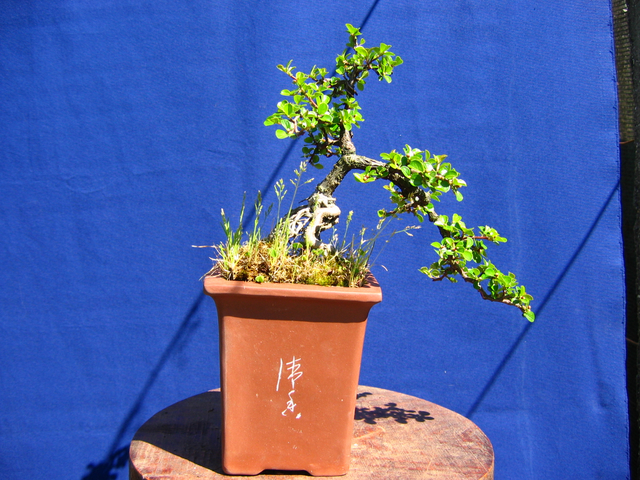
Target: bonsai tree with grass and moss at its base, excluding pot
323, 108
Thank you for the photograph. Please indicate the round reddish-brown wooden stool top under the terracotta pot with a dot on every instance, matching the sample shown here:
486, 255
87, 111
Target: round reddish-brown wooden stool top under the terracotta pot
396, 436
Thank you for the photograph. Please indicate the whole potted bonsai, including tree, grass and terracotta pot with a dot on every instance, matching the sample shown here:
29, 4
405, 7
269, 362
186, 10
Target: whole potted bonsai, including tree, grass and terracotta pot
288, 396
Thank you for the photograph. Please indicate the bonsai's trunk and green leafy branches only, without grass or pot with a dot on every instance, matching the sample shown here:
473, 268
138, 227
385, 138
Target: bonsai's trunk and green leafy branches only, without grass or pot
323, 109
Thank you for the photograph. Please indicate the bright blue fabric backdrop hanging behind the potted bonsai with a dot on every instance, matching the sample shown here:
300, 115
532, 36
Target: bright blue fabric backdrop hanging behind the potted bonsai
125, 127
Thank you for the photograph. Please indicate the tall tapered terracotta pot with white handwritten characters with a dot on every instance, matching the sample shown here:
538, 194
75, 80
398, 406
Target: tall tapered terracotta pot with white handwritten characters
289, 360
